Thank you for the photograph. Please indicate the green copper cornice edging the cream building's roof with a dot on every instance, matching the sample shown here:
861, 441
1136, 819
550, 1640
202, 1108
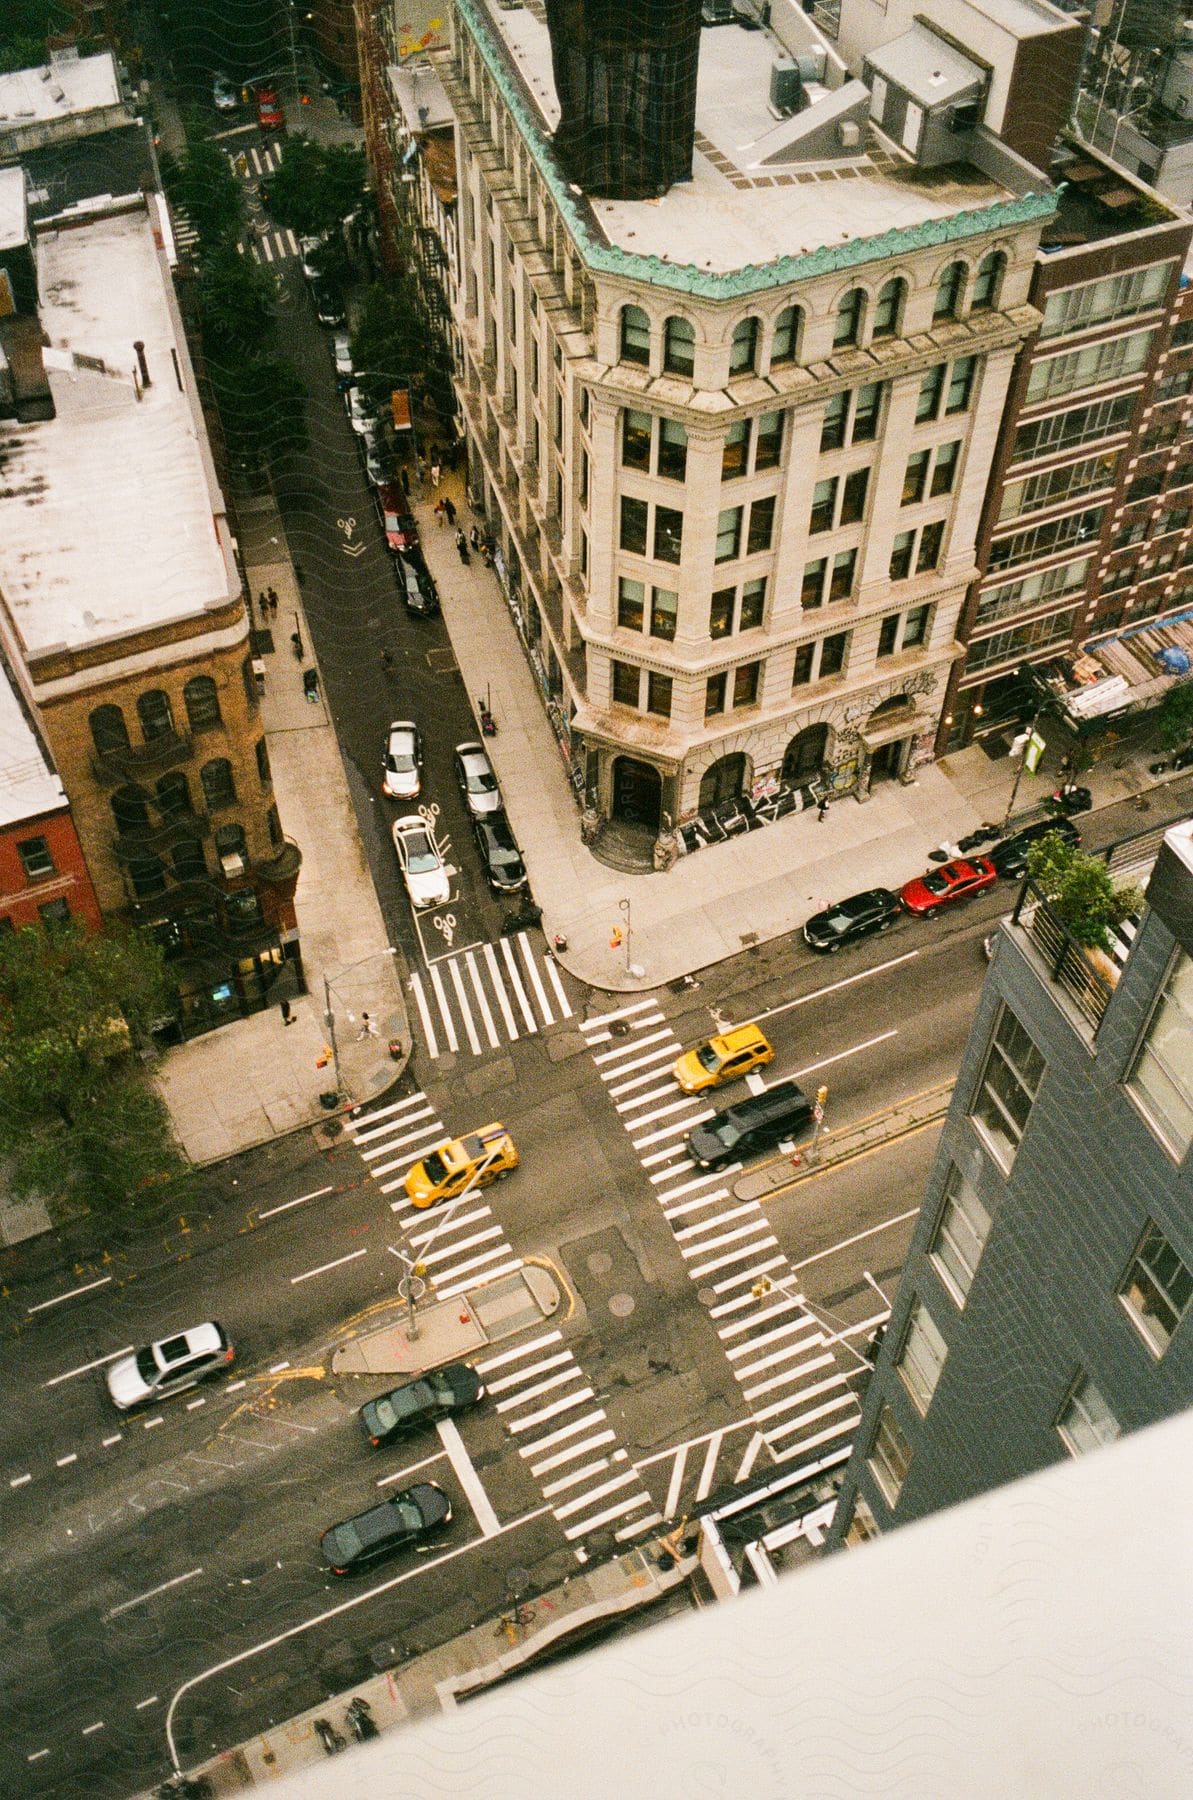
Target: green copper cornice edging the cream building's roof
755, 278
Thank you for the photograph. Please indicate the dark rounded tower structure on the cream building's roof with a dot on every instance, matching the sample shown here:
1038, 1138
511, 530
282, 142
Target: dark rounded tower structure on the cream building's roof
625, 76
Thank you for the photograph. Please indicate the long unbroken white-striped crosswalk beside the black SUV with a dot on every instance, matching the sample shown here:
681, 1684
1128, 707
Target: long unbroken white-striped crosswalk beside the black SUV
794, 1378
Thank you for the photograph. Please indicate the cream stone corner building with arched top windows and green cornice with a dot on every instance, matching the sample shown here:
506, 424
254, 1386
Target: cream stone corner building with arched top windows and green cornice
733, 440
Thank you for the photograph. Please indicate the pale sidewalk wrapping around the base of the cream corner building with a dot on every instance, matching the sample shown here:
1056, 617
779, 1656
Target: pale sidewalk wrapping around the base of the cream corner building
726, 897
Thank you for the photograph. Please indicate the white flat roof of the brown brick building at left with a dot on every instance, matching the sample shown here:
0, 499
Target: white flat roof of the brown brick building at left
107, 510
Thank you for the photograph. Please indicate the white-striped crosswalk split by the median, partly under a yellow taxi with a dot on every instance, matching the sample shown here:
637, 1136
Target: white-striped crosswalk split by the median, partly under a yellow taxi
539, 1390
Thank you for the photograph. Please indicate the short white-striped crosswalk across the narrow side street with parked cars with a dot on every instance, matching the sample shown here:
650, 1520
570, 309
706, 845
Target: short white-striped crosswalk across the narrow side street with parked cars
489, 996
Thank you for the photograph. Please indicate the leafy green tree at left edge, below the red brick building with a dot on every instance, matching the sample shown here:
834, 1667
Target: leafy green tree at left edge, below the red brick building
80, 1120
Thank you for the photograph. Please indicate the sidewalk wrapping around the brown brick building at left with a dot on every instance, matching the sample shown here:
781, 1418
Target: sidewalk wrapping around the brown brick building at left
256, 1079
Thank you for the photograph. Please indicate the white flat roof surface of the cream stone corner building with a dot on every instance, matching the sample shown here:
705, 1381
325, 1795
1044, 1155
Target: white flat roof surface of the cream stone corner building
742, 208
